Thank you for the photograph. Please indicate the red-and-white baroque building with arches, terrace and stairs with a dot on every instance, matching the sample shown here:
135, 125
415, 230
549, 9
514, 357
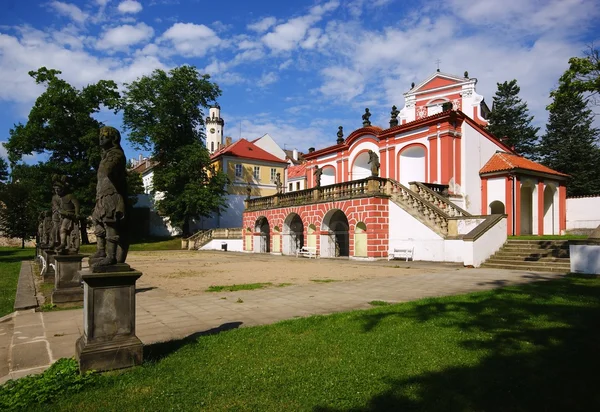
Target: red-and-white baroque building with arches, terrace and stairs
447, 190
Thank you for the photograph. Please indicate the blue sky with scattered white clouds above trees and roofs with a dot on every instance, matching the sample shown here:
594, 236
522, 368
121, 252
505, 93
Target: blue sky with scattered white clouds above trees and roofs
296, 69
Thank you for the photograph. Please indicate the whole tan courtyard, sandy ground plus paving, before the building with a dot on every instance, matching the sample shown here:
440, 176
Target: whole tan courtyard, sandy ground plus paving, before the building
31, 341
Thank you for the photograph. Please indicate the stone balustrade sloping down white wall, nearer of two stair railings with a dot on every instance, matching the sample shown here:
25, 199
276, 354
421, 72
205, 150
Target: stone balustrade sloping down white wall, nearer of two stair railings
426, 211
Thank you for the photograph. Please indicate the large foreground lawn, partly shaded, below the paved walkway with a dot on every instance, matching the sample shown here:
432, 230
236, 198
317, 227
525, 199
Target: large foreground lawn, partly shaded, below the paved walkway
531, 347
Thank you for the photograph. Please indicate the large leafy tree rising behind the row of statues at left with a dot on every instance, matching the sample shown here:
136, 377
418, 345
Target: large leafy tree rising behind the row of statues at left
60, 124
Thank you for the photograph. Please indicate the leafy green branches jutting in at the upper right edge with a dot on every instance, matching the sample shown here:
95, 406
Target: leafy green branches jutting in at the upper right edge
583, 76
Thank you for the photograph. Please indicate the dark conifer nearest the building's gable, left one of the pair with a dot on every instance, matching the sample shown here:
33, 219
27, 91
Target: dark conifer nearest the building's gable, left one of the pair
509, 120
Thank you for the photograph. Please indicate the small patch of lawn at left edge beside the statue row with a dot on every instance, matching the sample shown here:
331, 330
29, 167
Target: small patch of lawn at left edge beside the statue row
10, 266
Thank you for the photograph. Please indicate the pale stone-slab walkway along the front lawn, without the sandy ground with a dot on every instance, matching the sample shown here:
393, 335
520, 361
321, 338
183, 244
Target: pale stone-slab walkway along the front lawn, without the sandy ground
38, 339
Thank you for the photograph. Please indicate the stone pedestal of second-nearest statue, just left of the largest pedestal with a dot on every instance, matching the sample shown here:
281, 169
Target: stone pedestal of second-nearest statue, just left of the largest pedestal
67, 281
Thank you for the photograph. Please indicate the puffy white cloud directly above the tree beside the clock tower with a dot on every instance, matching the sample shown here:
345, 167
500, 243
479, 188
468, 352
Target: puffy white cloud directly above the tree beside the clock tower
191, 40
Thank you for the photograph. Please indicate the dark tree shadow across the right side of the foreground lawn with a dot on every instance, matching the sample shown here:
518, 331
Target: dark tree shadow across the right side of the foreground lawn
541, 352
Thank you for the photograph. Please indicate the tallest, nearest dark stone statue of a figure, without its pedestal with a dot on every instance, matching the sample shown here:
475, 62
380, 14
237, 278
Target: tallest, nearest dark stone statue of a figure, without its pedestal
109, 215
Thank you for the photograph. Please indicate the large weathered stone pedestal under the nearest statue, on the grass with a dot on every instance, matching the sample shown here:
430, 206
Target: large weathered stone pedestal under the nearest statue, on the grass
109, 341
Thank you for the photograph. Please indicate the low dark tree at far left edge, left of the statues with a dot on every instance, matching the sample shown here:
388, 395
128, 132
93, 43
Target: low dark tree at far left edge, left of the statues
18, 212
